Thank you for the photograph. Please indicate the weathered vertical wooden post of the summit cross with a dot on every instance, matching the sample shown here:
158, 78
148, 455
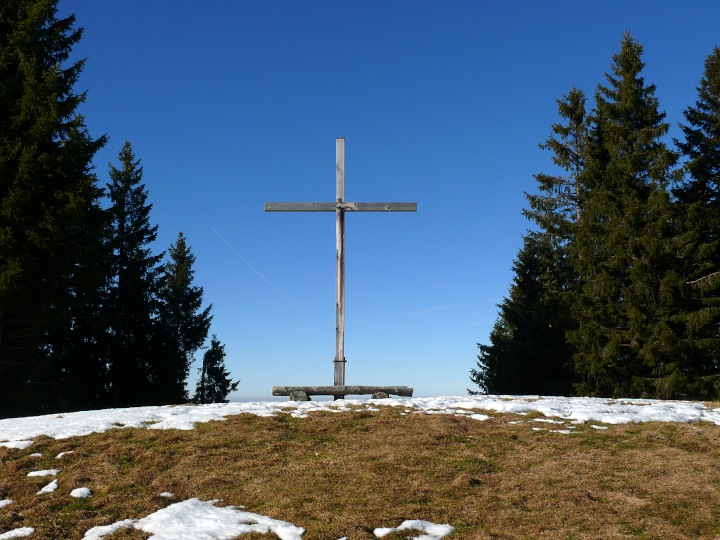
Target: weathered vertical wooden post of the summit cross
339, 362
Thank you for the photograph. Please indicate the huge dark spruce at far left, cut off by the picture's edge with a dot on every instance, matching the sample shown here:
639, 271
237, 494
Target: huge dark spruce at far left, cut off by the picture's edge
50, 220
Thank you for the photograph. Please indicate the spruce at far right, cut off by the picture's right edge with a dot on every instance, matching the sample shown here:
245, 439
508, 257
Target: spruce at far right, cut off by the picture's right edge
699, 221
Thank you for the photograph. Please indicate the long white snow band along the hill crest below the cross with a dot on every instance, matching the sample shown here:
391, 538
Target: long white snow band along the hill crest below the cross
16, 433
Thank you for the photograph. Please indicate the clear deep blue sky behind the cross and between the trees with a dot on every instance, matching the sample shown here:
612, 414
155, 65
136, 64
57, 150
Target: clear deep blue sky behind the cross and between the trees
233, 103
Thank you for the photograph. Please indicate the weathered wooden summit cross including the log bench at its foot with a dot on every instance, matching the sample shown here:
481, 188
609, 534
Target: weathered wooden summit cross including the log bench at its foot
340, 207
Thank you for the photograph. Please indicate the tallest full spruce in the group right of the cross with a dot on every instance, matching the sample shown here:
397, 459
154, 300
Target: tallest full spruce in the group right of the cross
623, 248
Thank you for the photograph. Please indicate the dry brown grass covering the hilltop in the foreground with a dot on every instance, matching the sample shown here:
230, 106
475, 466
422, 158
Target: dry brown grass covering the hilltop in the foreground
343, 474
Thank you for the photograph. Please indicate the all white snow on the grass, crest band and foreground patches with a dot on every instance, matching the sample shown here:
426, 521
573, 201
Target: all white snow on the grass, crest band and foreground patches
203, 520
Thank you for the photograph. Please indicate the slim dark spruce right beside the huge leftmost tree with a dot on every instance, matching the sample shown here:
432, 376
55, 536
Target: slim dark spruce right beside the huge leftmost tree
134, 298
